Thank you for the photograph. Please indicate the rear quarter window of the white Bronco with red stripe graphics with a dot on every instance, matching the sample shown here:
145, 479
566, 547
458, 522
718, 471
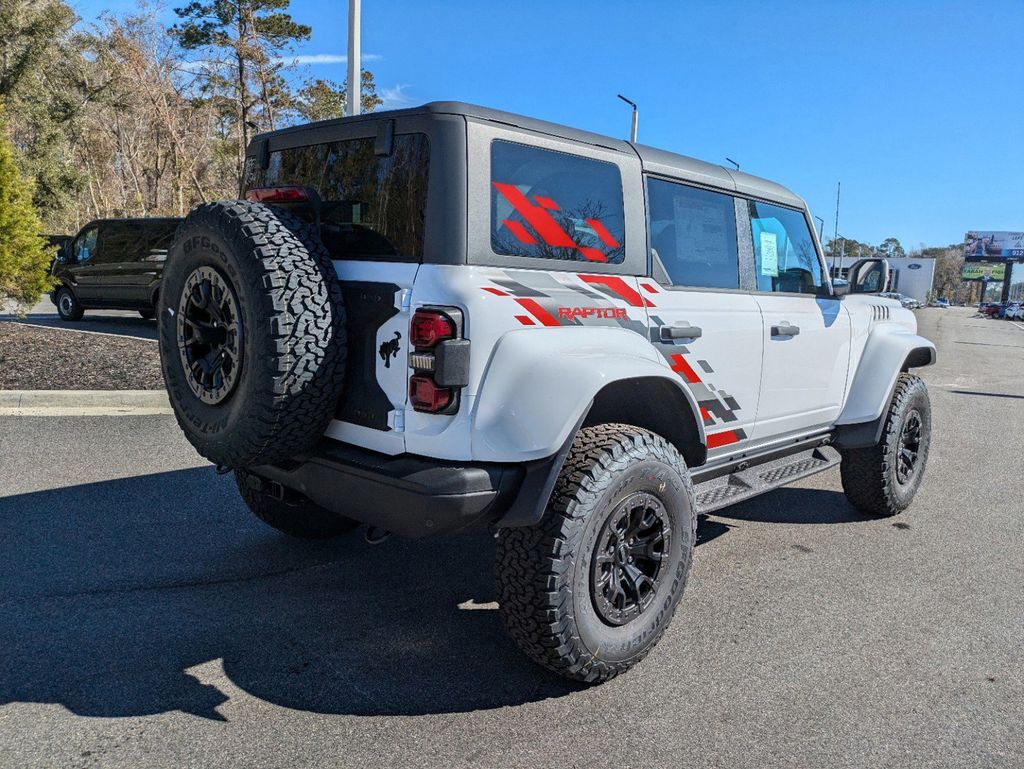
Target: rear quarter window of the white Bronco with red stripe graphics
556, 206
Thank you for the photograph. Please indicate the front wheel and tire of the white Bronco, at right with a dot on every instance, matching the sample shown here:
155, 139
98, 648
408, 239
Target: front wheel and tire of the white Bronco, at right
883, 480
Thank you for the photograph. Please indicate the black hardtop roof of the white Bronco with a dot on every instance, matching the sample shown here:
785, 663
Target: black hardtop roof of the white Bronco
654, 160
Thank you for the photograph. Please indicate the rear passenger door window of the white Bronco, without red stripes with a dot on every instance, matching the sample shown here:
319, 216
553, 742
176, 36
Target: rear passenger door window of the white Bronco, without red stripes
694, 236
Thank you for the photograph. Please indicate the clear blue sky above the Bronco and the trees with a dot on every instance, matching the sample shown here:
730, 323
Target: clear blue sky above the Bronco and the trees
917, 107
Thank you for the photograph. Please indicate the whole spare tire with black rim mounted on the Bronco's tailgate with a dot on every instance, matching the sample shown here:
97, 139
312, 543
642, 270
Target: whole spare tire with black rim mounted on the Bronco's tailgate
252, 333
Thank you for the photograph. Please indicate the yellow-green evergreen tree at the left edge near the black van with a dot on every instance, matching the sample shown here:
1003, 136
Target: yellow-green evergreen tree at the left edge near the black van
24, 254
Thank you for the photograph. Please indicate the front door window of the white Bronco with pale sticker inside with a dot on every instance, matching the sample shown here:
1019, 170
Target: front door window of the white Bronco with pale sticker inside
784, 250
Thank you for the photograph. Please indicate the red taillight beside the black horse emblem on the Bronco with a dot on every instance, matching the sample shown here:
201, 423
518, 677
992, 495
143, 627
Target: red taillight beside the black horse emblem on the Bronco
440, 360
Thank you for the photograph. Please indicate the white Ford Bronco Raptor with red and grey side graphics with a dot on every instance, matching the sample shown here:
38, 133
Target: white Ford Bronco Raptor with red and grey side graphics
449, 317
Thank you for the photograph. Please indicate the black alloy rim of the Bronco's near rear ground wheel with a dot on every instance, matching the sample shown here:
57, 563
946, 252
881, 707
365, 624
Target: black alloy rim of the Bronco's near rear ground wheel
626, 571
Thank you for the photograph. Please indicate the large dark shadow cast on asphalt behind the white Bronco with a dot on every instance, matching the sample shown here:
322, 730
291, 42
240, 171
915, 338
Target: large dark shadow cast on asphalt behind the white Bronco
113, 592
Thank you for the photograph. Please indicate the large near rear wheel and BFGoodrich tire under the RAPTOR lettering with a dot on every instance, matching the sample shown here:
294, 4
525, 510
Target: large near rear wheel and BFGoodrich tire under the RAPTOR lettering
589, 591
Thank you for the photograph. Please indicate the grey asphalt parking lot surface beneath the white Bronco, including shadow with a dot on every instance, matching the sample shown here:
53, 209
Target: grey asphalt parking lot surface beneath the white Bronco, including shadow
148, 620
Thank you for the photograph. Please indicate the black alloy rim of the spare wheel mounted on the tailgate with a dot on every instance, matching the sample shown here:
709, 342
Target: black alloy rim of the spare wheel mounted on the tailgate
210, 335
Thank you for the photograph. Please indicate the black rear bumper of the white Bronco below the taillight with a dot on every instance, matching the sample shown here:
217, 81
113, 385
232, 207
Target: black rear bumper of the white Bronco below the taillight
412, 496
